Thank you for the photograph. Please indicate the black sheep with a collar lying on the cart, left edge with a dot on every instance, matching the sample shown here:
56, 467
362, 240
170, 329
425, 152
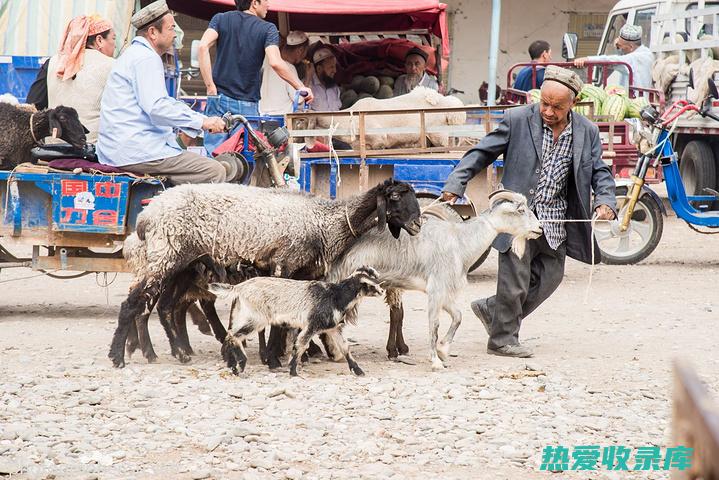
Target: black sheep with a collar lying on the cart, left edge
23, 129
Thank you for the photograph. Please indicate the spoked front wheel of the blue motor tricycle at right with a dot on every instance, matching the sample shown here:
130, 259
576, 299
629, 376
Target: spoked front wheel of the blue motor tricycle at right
640, 239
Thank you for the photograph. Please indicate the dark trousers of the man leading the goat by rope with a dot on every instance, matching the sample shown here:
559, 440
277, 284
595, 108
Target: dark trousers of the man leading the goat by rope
522, 285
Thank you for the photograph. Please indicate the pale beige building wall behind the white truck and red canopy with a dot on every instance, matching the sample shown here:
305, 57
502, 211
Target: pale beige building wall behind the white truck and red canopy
521, 22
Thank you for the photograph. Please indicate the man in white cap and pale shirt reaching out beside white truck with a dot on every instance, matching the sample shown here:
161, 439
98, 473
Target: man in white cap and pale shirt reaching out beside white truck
639, 57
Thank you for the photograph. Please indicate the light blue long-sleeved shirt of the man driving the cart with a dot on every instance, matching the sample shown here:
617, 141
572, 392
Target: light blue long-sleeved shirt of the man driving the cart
137, 116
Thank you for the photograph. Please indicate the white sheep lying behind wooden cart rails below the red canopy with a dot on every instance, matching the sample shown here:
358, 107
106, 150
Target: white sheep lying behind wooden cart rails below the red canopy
420, 97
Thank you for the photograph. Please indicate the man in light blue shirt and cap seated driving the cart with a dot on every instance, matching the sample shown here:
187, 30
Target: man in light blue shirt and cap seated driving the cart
137, 116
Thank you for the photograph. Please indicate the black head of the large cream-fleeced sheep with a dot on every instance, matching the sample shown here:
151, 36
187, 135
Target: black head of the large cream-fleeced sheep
397, 208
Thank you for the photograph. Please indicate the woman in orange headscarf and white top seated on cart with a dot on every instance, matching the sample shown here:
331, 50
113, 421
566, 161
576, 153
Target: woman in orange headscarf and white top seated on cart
76, 76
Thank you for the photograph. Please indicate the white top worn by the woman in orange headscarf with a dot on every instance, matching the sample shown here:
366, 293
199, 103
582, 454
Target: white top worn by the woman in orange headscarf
84, 91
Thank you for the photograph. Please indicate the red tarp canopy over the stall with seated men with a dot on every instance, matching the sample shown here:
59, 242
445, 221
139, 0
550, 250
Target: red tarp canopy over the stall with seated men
341, 15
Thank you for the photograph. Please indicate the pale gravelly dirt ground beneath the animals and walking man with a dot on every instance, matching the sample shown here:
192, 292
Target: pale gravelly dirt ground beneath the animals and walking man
605, 380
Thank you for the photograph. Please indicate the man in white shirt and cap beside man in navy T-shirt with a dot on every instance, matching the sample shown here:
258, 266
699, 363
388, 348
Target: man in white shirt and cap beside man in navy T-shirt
276, 95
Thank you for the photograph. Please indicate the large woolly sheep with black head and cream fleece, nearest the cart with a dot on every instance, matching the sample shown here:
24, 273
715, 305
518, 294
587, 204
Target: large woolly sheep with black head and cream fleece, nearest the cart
284, 233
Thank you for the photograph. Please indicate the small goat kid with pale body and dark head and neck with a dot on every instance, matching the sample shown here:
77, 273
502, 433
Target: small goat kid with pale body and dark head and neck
312, 307
